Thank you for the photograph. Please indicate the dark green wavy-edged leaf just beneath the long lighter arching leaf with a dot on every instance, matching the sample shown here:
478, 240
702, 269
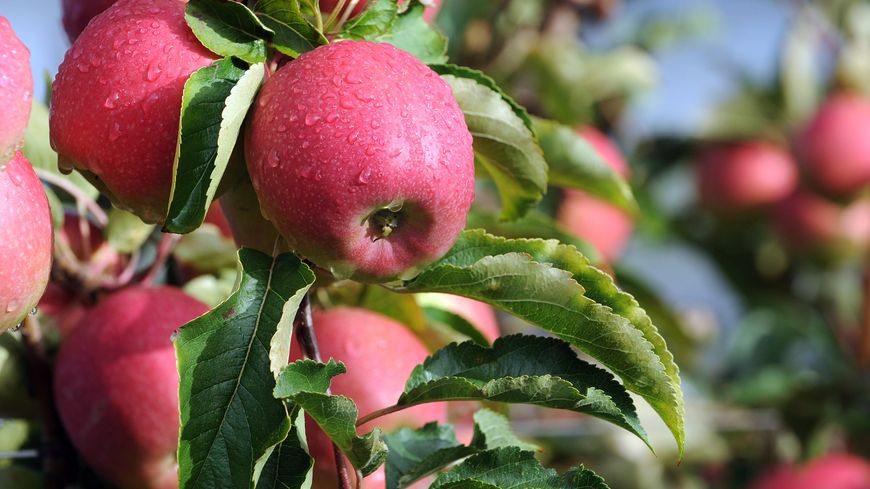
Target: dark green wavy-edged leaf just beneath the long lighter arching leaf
526, 370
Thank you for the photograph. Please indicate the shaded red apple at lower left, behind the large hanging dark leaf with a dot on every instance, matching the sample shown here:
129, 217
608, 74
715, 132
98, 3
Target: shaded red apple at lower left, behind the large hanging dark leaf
116, 386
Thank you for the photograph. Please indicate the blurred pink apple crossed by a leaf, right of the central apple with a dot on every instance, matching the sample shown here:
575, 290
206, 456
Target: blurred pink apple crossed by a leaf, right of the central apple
603, 225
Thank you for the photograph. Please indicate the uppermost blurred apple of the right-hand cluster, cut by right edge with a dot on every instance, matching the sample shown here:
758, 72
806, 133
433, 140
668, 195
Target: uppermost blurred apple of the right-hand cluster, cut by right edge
834, 145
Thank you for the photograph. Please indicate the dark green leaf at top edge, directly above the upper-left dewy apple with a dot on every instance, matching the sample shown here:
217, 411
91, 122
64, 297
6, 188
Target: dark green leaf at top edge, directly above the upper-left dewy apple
228, 28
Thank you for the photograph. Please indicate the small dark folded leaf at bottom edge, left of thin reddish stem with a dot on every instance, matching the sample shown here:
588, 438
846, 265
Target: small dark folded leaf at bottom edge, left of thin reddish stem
289, 465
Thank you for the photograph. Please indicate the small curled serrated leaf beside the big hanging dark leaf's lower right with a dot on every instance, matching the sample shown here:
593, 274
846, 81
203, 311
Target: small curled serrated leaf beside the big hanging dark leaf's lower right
305, 382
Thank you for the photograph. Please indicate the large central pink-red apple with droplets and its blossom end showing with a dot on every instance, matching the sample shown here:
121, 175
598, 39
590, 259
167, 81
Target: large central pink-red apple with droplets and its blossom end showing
362, 160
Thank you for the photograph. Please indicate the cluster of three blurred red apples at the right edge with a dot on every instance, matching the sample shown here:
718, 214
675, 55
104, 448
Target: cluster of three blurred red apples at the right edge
818, 198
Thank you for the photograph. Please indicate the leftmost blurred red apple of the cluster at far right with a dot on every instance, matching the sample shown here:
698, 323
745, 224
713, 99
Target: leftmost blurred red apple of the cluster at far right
745, 176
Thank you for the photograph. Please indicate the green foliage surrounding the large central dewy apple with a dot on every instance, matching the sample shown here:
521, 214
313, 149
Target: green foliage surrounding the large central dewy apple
242, 405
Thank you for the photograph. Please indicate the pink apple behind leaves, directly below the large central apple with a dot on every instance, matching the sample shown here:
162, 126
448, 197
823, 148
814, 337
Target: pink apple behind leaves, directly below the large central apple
379, 354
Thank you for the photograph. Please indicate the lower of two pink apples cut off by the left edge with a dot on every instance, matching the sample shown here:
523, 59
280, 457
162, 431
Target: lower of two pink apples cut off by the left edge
25, 241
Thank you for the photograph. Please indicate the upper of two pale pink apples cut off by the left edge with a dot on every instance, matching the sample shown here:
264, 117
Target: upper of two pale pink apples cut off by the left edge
16, 90
